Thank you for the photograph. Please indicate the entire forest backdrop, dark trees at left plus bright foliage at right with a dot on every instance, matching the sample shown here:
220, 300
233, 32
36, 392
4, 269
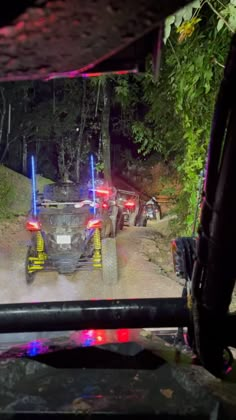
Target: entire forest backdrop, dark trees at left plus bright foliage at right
62, 121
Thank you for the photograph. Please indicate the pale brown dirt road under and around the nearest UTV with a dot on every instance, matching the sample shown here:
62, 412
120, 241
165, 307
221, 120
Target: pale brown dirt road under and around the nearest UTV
145, 270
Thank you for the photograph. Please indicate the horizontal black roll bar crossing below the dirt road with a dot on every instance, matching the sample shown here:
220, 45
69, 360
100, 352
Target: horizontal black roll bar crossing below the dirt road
101, 314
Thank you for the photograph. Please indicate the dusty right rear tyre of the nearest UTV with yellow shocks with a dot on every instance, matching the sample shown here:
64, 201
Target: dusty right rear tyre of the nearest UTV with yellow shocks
109, 261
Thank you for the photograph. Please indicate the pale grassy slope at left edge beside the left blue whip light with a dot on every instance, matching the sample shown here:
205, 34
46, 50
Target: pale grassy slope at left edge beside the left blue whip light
15, 192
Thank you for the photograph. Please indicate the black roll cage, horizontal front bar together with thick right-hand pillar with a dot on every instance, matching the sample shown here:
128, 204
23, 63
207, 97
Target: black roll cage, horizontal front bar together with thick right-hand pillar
214, 272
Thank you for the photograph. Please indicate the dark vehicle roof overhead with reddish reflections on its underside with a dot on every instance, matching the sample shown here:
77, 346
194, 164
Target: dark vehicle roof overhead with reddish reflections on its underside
42, 39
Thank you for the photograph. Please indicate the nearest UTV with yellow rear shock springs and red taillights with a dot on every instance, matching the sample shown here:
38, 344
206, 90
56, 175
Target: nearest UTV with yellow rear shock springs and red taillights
70, 232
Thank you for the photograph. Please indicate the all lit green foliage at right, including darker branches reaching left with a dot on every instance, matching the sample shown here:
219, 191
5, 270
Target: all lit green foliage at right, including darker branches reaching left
177, 110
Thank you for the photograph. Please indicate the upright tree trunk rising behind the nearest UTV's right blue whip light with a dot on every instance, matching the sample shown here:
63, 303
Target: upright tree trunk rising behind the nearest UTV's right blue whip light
106, 143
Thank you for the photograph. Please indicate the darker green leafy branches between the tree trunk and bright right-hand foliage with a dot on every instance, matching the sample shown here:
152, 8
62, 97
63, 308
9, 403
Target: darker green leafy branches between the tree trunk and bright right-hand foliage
149, 113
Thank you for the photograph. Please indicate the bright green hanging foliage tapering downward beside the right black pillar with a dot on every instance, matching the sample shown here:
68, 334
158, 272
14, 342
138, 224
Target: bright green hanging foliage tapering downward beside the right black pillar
195, 80
